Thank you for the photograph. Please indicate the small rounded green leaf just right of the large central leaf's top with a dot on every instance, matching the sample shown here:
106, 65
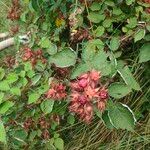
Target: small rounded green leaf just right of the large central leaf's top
114, 43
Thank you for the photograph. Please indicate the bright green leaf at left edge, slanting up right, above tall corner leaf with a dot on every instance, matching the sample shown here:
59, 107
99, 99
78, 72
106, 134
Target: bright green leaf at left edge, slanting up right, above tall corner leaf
5, 106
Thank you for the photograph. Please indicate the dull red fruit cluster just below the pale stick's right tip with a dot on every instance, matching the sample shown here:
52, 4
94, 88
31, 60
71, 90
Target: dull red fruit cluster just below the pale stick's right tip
33, 56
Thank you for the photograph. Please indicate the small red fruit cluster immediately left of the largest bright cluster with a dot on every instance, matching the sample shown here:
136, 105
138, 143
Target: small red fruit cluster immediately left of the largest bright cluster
57, 91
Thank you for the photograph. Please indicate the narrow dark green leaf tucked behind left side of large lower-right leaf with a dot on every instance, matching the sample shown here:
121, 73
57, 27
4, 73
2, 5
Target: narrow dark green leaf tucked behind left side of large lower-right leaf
106, 120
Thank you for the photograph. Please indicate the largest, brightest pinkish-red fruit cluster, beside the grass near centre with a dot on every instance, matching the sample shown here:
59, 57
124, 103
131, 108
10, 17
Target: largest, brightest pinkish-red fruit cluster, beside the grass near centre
84, 92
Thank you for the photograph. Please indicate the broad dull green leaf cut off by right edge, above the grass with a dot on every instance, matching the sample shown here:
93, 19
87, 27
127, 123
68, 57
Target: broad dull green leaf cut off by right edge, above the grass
144, 55
